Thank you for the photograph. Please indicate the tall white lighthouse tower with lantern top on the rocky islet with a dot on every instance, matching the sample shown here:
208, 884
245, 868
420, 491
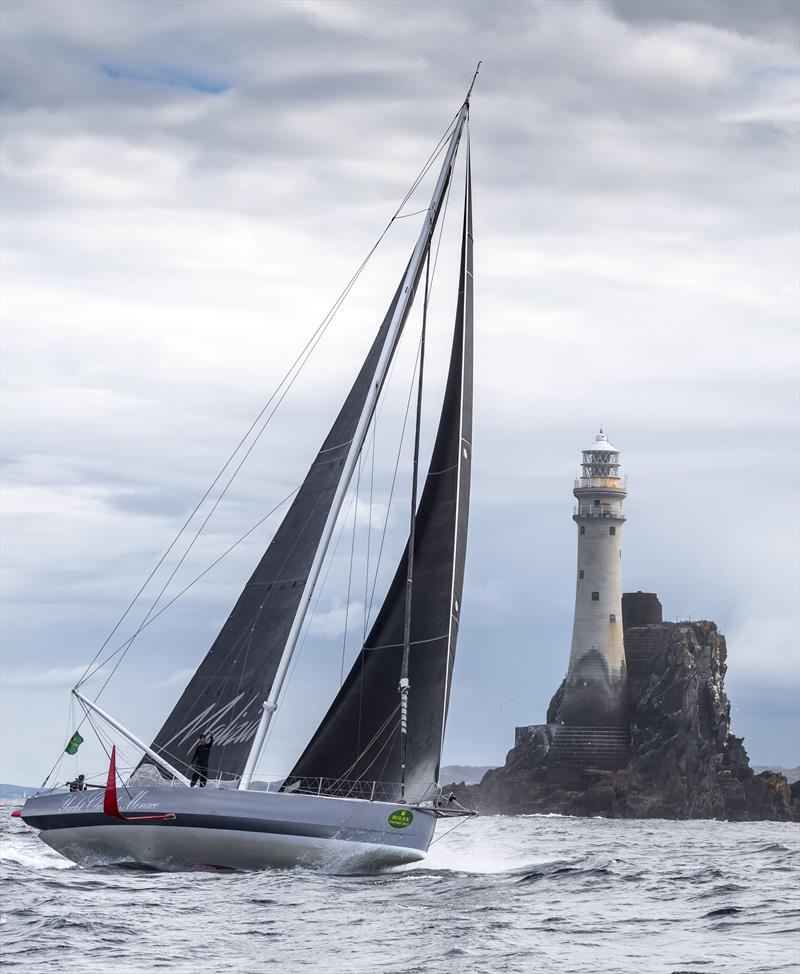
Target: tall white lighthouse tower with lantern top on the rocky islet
593, 722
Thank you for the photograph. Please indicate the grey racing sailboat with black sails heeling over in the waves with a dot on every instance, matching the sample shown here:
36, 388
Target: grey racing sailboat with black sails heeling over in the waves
366, 787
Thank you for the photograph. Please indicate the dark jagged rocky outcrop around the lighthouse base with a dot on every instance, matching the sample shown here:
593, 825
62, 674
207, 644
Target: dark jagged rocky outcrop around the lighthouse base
684, 760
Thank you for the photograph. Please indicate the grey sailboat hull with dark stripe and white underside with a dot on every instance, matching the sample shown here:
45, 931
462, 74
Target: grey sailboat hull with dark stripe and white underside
229, 829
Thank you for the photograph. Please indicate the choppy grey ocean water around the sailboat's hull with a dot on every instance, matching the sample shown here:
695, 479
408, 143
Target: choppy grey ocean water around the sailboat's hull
539, 894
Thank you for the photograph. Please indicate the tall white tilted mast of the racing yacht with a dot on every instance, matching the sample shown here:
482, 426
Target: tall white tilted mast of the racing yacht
401, 311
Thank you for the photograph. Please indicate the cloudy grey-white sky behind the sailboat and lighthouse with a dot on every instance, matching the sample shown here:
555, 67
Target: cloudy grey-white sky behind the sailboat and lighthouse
188, 186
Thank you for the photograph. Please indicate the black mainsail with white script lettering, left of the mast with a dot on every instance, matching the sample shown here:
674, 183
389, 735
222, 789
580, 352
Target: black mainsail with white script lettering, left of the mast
226, 694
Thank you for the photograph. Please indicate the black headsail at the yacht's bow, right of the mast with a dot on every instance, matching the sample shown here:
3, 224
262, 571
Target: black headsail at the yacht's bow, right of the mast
358, 740
